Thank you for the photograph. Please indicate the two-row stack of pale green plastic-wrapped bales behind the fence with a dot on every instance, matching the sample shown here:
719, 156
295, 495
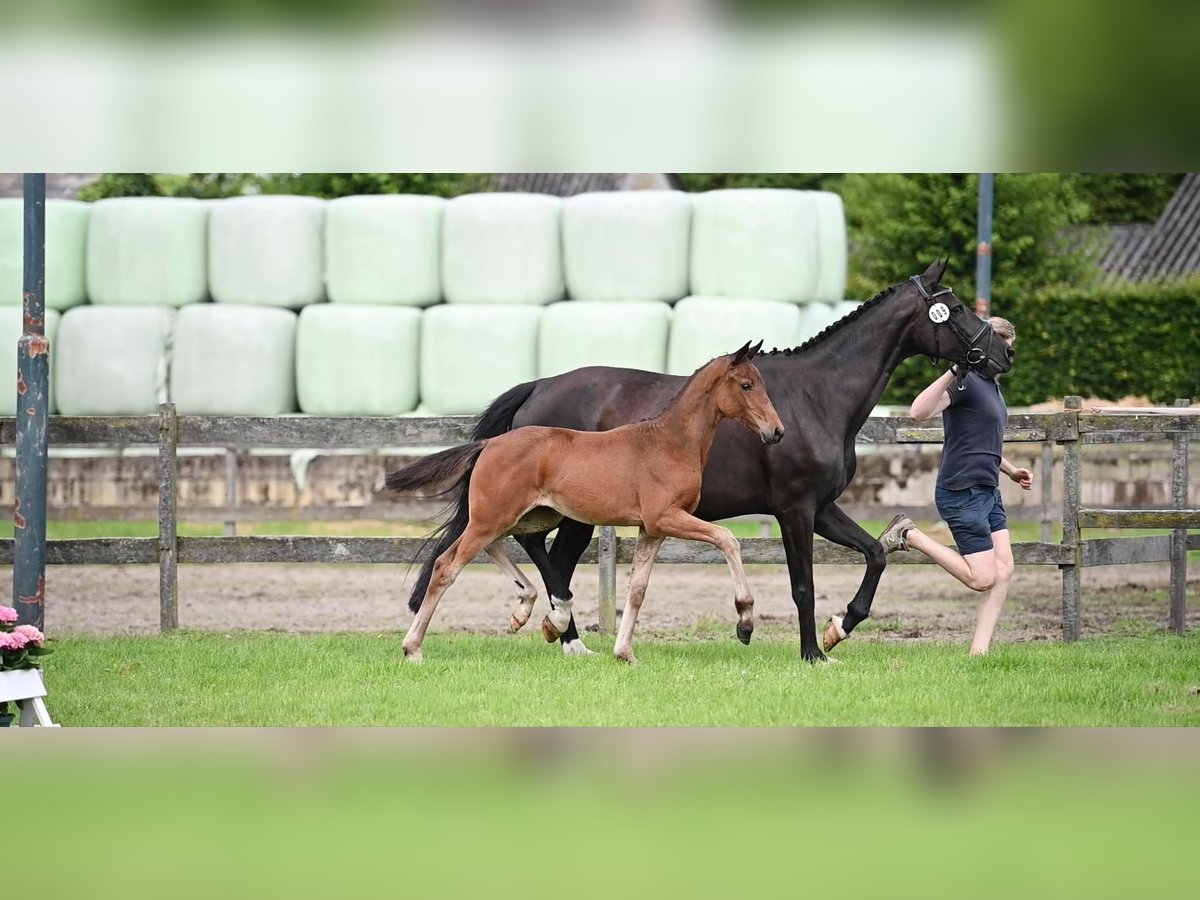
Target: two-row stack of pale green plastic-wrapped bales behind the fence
393, 305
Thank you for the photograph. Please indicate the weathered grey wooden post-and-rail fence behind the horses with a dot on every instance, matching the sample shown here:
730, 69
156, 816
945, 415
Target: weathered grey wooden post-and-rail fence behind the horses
1071, 429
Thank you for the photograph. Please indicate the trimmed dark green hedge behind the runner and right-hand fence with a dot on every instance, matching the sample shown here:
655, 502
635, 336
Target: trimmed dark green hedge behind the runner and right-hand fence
1141, 340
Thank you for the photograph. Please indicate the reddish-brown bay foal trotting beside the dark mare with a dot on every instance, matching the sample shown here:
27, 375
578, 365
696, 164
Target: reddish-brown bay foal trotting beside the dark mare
647, 475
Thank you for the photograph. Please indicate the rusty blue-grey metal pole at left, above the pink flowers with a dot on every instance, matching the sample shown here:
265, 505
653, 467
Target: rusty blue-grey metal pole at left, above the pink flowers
33, 419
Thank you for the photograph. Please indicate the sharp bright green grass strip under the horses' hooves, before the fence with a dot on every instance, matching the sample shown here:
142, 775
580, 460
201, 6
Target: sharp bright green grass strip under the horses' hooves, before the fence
274, 680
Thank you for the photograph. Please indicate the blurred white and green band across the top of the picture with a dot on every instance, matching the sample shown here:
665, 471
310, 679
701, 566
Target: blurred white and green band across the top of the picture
661, 86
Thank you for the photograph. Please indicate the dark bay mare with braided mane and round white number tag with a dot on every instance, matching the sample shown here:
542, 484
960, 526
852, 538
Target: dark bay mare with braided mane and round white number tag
824, 392
